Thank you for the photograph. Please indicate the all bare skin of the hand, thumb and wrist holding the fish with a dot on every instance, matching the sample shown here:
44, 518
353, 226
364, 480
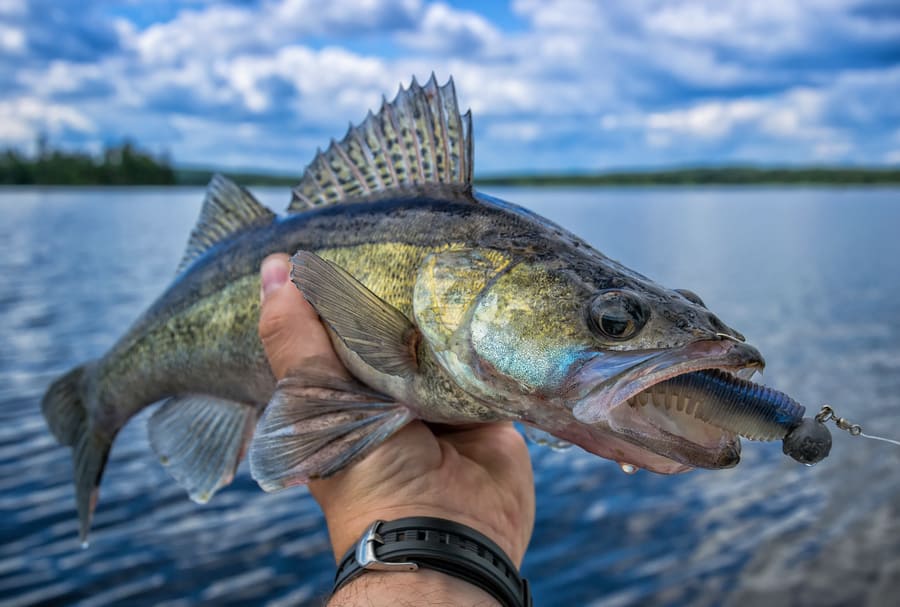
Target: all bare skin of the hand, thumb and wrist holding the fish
479, 476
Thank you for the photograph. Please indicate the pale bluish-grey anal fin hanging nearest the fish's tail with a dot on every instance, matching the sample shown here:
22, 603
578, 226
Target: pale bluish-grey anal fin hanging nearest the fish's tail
200, 440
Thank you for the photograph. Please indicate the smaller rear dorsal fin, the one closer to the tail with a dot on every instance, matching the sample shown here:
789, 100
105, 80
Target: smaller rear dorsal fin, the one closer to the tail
227, 209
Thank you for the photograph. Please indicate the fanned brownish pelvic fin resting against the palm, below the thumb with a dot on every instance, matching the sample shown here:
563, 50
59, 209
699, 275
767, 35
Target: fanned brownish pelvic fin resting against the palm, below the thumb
317, 425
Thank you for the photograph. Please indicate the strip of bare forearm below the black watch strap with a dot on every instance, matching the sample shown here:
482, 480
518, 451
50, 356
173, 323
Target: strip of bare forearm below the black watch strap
422, 588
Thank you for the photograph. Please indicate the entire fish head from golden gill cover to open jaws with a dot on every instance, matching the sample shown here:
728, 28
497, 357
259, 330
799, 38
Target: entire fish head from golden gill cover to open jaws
566, 342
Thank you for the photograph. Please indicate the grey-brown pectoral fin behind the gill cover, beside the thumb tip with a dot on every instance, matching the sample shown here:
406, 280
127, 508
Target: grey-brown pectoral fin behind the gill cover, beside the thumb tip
376, 331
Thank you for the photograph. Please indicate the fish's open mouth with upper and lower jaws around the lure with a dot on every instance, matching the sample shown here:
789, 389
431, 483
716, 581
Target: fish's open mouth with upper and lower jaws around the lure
667, 439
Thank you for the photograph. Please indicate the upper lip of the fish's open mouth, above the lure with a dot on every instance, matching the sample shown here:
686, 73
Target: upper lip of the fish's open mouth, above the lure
657, 367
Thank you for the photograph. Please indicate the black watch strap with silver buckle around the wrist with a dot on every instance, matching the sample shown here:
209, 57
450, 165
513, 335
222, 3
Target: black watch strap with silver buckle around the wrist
446, 546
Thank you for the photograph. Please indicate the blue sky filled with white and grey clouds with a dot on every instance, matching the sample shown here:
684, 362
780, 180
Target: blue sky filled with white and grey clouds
554, 85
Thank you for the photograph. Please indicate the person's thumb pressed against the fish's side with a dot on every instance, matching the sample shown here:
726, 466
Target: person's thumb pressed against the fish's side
289, 327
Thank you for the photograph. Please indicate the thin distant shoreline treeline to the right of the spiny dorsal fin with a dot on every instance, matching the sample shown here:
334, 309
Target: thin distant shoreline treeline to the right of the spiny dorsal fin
708, 176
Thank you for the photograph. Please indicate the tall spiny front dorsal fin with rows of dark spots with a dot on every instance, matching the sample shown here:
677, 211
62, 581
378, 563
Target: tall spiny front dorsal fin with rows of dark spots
419, 139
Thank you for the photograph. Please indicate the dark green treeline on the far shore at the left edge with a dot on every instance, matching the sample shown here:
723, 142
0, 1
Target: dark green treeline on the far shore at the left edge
122, 164
